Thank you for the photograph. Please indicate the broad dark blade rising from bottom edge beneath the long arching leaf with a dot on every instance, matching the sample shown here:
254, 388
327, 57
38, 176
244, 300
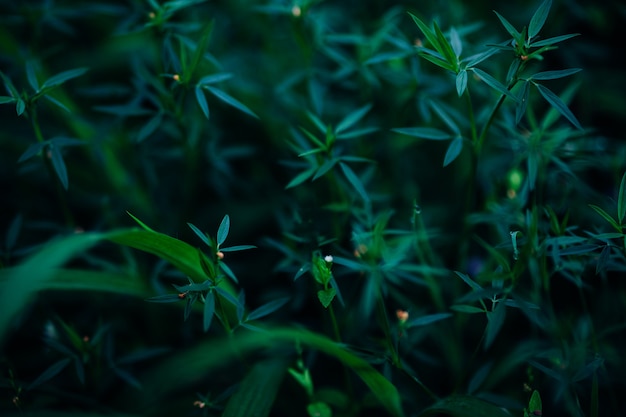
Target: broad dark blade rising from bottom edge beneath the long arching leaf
257, 391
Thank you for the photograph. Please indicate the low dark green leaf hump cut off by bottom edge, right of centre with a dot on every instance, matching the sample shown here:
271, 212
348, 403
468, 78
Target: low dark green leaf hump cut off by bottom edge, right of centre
464, 406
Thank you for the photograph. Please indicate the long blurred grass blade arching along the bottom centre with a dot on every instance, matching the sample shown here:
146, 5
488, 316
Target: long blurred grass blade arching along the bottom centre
242, 343
